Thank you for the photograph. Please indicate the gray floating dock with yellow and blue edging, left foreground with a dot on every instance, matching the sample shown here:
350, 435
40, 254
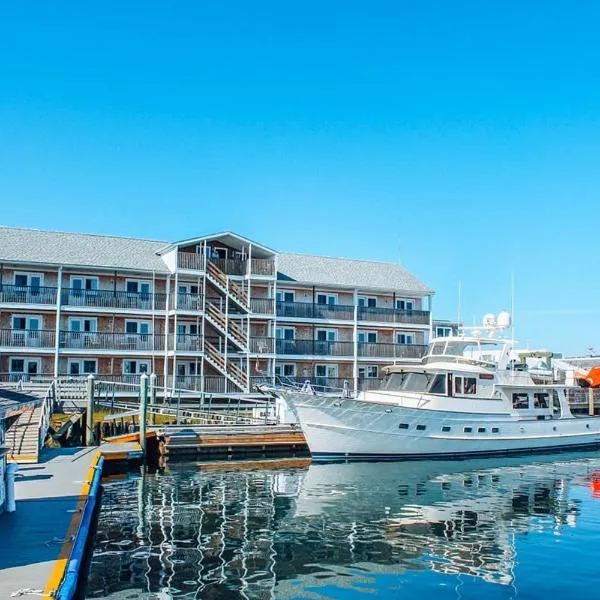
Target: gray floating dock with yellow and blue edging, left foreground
43, 541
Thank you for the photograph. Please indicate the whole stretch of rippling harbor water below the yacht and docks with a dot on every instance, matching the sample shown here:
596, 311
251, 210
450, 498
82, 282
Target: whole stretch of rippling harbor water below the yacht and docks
503, 528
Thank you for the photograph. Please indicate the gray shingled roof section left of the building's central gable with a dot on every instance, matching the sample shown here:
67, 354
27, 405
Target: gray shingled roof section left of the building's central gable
52, 247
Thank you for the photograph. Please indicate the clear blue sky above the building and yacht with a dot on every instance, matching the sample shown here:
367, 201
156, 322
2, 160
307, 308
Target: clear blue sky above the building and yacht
460, 138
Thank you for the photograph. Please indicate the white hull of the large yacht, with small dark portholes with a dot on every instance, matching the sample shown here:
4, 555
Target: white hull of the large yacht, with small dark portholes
348, 429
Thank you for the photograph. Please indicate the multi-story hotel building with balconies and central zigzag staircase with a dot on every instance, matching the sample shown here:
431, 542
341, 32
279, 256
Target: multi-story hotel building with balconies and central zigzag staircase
212, 314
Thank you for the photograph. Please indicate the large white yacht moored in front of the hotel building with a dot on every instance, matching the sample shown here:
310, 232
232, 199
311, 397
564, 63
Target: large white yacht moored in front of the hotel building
462, 400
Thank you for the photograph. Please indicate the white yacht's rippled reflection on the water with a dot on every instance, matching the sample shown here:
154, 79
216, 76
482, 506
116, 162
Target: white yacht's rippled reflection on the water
449, 517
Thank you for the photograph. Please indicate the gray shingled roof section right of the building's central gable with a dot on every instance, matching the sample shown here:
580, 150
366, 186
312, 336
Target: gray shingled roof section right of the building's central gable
345, 272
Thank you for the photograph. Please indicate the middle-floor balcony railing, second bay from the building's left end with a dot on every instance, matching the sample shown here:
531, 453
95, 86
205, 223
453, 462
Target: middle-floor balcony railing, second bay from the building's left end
120, 342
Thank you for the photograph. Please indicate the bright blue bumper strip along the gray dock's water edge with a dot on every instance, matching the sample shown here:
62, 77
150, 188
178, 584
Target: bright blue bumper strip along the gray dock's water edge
68, 585
